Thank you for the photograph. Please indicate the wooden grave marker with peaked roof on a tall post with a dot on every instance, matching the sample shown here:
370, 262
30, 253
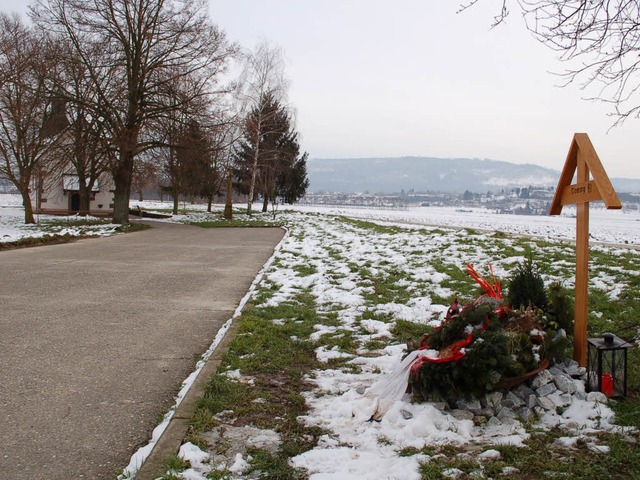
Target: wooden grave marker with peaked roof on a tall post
583, 158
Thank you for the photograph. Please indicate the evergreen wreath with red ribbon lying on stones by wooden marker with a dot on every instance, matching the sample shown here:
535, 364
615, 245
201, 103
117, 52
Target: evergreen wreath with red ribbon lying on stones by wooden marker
481, 346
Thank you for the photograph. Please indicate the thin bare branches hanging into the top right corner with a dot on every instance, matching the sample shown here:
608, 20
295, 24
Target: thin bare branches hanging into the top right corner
599, 40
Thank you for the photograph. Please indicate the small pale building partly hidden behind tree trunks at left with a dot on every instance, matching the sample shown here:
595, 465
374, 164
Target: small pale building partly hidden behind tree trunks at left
59, 194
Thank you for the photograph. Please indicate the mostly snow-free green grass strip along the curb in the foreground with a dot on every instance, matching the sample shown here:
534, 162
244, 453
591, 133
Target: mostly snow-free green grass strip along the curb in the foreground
264, 351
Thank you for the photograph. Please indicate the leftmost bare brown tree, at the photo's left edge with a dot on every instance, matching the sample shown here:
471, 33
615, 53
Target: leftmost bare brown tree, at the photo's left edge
28, 123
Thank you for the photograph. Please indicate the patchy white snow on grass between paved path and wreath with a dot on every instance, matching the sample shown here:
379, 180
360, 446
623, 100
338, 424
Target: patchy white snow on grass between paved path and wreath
338, 262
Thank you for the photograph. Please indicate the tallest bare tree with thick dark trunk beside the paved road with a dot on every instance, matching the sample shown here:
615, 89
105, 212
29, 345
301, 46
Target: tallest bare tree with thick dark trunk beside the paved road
144, 45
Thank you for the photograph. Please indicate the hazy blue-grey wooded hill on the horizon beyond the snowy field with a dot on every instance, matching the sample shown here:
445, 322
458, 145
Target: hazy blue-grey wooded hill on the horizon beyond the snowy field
391, 175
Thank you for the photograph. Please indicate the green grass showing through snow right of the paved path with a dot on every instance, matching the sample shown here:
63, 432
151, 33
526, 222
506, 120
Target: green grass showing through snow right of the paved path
273, 347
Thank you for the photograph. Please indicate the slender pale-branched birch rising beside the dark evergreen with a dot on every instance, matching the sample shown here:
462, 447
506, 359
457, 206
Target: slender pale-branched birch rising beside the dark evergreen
262, 77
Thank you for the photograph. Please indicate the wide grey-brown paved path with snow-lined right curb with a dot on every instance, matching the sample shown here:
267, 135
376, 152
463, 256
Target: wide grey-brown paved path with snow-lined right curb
96, 337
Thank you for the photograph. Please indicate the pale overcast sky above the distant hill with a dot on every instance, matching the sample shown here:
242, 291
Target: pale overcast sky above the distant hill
373, 78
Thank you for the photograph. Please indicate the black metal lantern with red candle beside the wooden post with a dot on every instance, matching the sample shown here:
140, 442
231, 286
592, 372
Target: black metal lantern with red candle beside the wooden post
607, 365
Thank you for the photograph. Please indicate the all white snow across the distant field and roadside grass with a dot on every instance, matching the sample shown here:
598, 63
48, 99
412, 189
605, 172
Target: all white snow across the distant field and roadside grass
355, 448
